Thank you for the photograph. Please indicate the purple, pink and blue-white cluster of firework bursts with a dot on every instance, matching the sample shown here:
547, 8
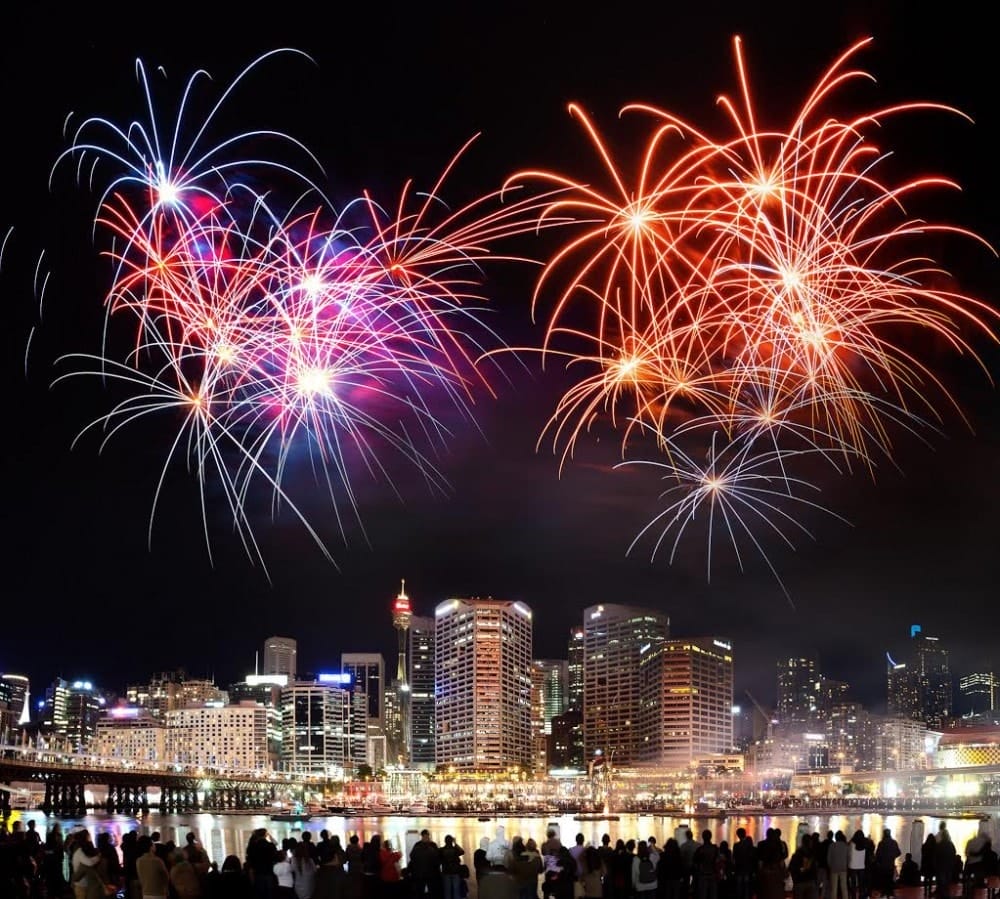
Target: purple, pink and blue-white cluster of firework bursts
276, 332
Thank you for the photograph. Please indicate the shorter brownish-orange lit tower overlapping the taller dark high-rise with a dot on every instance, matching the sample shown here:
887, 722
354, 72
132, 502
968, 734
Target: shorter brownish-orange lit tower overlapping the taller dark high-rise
686, 689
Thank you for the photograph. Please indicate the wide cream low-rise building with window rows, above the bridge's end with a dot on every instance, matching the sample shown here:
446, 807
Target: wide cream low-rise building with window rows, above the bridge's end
232, 737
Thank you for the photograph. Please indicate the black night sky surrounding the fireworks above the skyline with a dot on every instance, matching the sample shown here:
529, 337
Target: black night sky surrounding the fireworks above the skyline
393, 94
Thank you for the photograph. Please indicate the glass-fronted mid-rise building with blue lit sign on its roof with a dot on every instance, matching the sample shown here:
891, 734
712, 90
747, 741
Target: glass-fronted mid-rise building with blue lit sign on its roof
315, 723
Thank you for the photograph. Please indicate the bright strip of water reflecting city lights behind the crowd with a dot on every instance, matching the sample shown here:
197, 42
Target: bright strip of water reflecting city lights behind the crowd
223, 835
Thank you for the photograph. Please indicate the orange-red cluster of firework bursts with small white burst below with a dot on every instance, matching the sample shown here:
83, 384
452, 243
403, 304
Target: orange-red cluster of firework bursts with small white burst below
754, 294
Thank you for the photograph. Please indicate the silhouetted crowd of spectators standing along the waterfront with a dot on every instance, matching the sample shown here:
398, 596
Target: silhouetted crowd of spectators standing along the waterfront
684, 867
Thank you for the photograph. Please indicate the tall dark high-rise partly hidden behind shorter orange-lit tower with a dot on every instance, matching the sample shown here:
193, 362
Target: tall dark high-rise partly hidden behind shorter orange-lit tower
613, 637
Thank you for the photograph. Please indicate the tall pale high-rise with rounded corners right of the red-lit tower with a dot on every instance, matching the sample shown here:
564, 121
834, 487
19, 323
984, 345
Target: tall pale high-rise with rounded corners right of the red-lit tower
482, 654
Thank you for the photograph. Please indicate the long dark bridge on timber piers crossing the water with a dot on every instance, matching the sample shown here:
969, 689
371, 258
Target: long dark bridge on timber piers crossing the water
181, 789
